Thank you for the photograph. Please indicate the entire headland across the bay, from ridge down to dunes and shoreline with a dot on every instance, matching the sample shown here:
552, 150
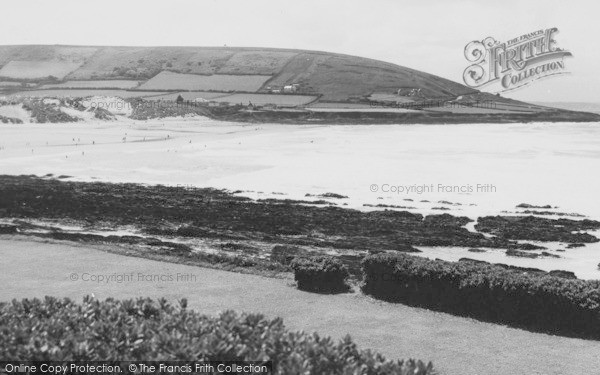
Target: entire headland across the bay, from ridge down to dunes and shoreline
248, 84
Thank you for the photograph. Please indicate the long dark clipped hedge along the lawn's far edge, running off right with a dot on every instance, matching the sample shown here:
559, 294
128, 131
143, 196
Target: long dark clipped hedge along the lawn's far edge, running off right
487, 292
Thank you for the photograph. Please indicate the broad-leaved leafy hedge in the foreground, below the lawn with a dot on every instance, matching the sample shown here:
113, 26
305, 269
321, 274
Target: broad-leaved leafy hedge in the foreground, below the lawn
128, 330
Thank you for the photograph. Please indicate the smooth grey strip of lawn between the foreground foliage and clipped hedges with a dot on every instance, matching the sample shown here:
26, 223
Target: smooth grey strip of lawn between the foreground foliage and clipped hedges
457, 346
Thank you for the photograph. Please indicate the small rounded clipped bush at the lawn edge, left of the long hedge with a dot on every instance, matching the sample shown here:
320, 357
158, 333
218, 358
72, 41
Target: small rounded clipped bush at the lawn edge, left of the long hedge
320, 274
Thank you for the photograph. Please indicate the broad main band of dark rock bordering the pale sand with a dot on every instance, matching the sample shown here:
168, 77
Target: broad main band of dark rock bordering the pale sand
211, 213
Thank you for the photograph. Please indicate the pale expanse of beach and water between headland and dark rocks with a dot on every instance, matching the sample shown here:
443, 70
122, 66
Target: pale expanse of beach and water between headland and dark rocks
539, 164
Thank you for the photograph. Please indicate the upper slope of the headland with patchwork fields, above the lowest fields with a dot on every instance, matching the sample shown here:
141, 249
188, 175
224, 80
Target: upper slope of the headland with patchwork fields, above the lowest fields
334, 77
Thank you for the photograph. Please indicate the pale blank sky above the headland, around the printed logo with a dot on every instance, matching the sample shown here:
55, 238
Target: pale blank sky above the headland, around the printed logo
428, 35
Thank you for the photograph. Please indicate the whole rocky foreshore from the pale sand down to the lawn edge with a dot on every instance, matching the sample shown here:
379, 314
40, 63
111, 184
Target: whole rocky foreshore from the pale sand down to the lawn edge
206, 226
